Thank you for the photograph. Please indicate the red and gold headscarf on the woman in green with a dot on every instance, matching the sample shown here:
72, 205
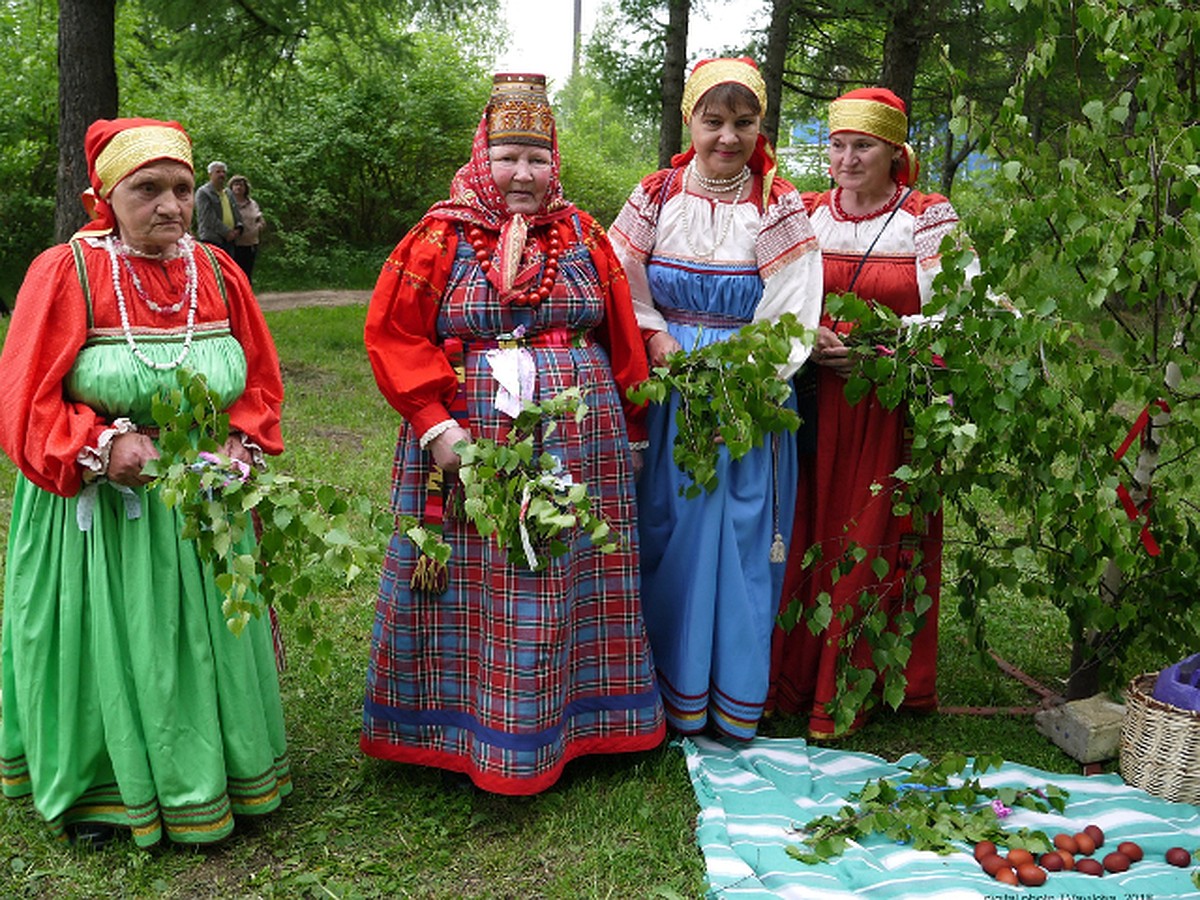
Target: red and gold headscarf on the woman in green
116, 148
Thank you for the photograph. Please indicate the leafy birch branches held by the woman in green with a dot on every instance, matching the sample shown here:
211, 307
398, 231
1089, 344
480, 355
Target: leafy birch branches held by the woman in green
301, 527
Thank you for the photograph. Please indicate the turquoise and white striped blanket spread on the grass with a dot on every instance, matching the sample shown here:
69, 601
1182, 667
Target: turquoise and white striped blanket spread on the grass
753, 796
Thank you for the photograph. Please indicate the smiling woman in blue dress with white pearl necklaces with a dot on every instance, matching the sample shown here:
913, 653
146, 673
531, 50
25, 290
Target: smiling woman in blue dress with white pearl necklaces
711, 245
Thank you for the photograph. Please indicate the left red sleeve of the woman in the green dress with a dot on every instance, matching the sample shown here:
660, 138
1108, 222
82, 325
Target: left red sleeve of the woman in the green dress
40, 430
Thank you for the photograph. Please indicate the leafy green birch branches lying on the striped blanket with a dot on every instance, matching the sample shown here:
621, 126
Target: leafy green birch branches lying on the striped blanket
932, 807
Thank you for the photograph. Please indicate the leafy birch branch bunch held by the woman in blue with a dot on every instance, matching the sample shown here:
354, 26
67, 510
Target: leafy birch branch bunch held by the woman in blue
730, 394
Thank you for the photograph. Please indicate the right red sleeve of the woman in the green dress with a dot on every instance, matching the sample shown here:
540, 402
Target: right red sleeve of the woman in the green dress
257, 412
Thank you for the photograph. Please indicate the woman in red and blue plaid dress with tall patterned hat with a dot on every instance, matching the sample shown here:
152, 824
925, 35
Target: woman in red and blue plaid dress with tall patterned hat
509, 674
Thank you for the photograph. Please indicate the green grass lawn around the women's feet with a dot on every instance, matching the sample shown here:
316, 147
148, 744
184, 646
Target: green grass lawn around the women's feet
614, 827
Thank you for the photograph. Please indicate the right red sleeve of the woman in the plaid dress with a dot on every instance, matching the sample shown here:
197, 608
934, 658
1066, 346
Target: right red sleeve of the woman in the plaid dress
619, 334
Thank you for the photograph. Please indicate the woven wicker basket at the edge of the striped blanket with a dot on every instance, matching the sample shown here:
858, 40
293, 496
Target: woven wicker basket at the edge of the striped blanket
1160, 745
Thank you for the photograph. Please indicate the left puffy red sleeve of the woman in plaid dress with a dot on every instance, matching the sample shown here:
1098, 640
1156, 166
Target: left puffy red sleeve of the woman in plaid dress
412, 371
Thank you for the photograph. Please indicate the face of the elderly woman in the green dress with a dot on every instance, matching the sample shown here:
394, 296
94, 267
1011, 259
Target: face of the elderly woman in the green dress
154, 206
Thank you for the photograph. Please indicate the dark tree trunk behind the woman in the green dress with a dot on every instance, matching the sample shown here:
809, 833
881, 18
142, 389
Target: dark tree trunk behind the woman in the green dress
87, 92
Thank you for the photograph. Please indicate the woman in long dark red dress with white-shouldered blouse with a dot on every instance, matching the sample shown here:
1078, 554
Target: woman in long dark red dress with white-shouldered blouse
880, 239
